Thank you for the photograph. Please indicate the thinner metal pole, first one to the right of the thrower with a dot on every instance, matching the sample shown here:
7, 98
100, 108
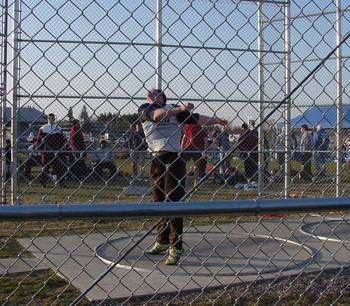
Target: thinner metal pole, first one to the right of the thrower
261, 98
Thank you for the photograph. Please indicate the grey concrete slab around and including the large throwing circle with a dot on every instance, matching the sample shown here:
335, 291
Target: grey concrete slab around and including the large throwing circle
215, 256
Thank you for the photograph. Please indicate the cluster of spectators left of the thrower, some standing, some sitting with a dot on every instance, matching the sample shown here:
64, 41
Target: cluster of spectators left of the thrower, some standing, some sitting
59, 157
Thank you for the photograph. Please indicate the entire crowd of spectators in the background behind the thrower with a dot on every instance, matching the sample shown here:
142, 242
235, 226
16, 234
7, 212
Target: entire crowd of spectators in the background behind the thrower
202, 147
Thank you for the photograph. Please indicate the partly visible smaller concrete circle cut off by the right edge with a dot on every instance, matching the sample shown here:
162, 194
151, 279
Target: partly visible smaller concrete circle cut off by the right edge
330, 230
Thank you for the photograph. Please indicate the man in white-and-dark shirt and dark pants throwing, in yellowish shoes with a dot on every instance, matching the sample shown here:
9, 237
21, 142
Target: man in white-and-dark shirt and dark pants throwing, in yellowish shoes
161, 123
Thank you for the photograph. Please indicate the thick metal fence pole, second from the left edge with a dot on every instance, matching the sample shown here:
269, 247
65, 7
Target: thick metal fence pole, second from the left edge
14, 117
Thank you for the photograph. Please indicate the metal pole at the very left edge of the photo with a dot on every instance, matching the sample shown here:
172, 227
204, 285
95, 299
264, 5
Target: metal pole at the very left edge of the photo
3, 102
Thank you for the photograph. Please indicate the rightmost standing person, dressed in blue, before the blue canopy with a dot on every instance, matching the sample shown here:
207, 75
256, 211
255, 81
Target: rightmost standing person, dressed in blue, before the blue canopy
321, 145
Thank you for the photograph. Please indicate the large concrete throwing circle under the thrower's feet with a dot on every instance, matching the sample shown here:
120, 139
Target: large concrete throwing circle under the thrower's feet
209, 253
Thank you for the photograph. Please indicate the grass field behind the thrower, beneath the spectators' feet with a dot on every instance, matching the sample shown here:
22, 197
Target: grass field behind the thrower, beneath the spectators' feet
92, 190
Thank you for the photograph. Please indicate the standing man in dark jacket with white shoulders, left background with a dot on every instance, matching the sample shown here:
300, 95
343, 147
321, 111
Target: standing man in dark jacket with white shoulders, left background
51, 142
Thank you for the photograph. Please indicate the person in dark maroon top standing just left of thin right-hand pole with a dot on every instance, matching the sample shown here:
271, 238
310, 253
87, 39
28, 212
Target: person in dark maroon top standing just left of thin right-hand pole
248, 145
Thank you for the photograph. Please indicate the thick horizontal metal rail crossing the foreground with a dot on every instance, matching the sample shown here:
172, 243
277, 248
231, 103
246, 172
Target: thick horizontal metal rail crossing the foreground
120, 211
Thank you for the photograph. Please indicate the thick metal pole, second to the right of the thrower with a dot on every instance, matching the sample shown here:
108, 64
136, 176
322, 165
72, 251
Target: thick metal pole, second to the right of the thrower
287, 107
